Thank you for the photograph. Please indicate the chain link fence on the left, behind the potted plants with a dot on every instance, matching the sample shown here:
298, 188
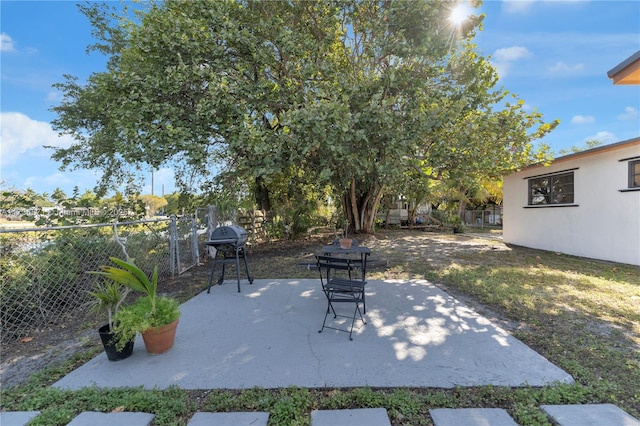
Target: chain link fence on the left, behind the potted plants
43, 271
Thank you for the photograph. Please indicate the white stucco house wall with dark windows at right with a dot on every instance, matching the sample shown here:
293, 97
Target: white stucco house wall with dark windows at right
603, 222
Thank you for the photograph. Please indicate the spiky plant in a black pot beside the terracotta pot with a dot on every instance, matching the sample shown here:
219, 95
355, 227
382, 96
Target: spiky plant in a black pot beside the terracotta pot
107, 299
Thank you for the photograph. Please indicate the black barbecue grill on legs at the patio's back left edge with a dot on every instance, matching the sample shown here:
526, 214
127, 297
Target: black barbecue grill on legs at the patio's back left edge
229, 242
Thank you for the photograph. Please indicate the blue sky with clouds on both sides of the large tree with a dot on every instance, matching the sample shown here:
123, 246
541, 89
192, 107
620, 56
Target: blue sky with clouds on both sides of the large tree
554, 54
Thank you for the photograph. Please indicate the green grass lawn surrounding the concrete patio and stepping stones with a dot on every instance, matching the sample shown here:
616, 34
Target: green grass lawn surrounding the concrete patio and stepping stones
581, 314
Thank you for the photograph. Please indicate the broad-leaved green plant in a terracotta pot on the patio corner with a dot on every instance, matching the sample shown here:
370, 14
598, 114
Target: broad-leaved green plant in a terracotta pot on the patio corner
154, 317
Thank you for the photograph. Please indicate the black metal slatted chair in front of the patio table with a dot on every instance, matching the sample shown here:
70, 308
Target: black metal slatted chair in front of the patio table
339, 287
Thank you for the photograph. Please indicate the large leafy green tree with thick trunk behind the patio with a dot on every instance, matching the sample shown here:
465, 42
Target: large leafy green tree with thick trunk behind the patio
349, 94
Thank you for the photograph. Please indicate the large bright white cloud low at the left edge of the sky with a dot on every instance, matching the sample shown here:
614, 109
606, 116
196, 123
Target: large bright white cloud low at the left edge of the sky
21, 136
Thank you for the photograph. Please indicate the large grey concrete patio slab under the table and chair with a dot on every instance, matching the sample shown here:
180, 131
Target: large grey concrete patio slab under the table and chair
267, 336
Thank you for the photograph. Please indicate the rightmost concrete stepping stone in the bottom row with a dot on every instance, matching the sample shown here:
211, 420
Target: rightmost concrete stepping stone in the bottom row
589, 415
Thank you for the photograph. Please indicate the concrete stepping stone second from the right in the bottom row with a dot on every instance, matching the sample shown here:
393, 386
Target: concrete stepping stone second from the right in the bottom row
471, 417
